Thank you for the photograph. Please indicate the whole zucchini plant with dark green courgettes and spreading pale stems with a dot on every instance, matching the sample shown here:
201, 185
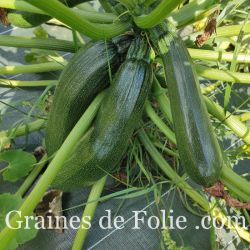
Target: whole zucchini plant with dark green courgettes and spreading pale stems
132, 96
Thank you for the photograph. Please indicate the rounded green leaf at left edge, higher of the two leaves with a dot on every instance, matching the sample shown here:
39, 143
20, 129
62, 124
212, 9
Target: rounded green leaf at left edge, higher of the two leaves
19, 165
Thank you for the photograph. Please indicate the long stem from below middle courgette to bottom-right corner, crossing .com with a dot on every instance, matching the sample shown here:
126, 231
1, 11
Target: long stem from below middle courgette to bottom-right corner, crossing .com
194, 195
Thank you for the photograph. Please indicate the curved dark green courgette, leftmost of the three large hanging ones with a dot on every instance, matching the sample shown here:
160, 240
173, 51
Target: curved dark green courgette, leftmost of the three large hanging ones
81, 80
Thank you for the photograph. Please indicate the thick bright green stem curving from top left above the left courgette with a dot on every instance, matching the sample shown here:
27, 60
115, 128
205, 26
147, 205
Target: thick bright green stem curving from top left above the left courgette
95, 31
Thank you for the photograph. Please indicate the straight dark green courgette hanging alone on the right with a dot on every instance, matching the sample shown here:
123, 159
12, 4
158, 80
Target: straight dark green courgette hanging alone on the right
199, 150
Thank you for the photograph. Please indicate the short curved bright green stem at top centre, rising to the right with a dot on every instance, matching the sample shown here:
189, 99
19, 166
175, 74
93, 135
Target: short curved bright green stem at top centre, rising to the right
162, 11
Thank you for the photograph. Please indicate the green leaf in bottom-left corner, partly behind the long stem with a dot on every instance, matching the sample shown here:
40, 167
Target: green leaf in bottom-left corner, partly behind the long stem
10, 202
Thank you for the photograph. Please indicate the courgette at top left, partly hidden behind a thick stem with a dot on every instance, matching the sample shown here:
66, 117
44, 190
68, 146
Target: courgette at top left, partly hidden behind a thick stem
23, 19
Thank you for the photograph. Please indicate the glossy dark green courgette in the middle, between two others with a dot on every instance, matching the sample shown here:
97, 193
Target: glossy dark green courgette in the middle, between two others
103, 147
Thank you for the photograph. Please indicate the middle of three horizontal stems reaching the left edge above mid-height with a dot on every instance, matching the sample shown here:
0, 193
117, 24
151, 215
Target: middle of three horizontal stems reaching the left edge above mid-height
32, 68
